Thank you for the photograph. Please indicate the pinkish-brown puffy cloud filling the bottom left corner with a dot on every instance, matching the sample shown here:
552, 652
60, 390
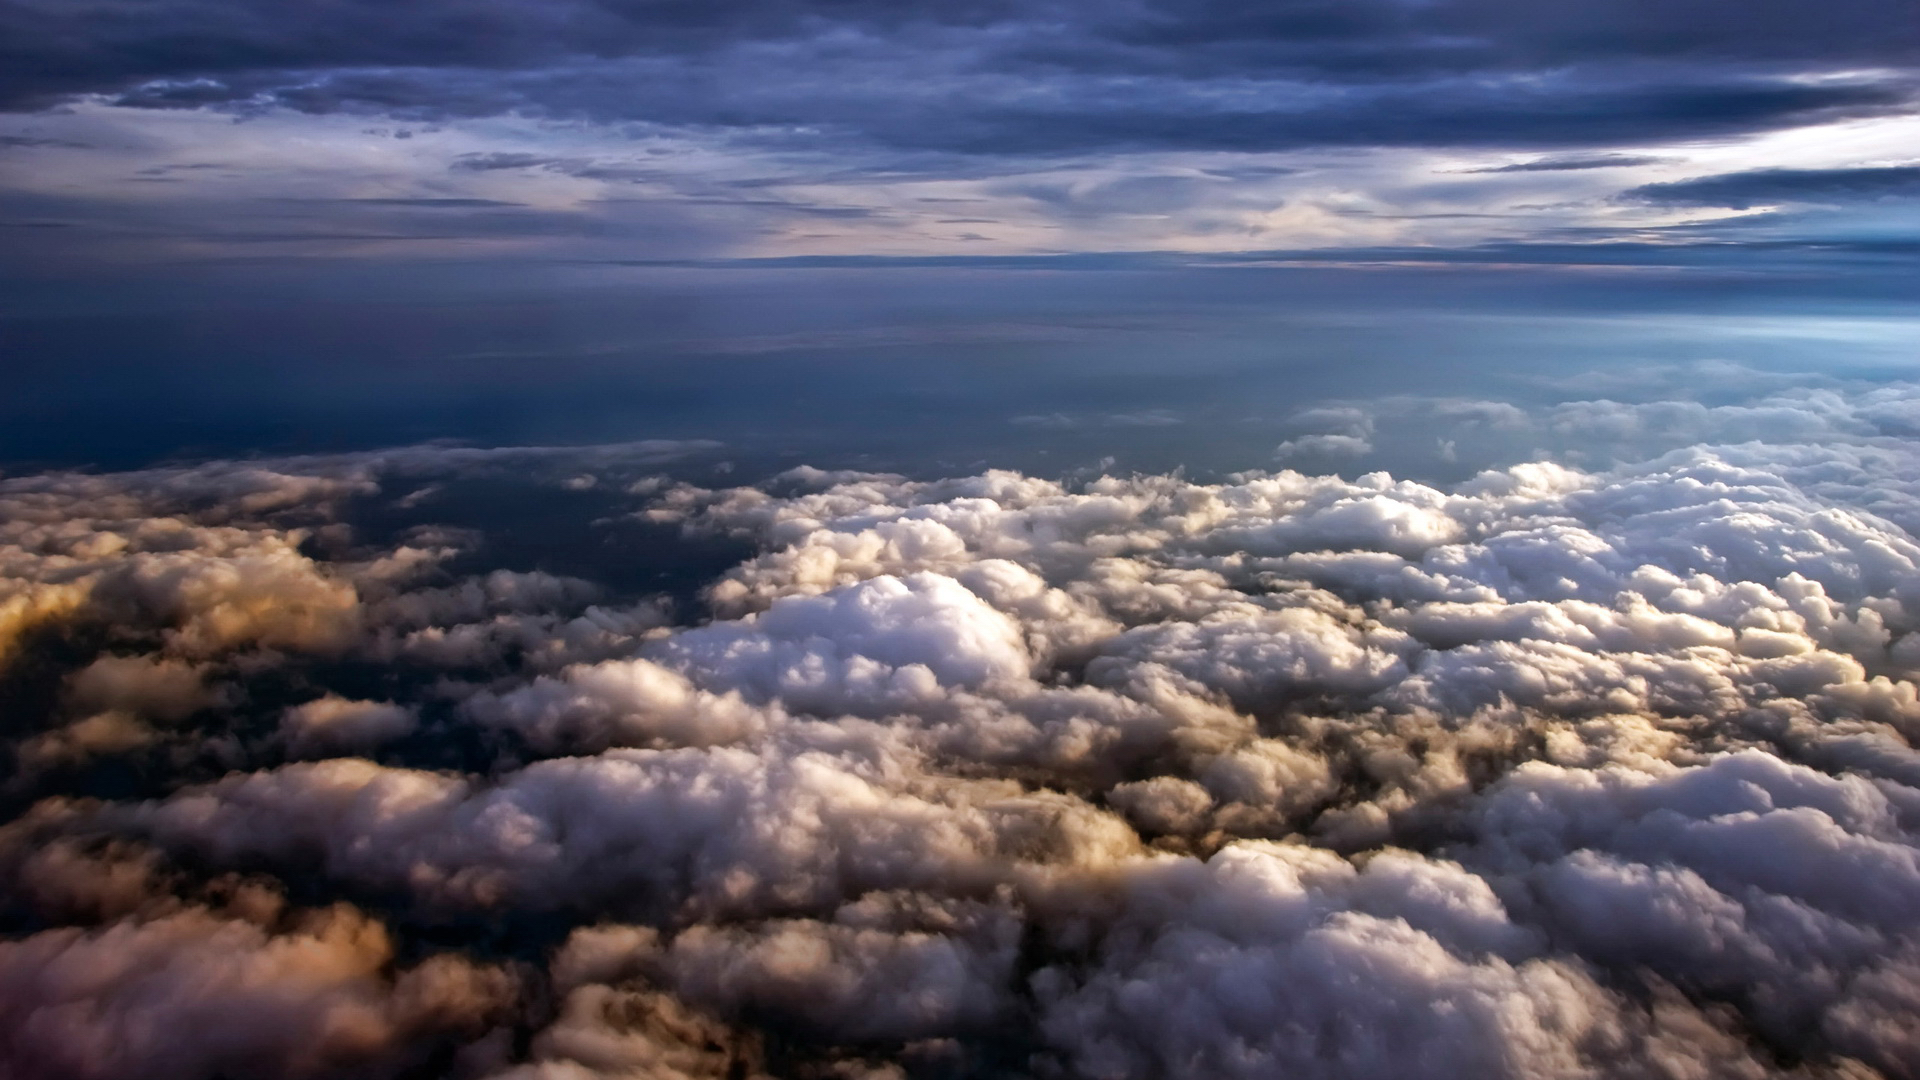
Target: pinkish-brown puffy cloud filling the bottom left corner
314, 1000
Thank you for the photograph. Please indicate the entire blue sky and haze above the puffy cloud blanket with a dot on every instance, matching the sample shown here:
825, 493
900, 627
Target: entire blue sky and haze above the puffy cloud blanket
276, 222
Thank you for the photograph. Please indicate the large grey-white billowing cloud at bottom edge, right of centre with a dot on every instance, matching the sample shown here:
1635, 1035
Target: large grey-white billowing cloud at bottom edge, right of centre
1282, 962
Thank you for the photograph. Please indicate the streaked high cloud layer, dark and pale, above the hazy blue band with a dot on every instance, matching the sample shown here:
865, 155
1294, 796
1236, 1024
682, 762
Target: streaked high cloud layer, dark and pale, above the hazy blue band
602, 132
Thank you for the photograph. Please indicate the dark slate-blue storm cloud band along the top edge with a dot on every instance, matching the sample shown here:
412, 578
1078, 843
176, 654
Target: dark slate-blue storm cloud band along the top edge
1001, 80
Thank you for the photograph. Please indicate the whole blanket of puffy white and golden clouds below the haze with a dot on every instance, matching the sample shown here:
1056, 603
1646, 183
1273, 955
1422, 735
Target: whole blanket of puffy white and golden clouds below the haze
1554, 773
